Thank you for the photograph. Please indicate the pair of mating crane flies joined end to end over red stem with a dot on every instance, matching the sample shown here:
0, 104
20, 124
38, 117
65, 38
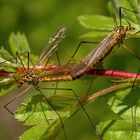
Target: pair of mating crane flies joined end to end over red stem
30, 74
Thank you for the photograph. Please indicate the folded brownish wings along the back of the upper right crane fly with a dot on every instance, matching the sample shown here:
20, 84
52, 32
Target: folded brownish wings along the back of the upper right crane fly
94, 57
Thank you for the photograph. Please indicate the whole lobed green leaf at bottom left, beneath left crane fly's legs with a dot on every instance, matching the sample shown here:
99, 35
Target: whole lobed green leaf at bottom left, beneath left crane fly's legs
44, 119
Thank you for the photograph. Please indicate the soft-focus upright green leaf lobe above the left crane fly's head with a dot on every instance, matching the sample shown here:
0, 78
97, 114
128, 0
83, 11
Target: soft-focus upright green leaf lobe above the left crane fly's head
18, 43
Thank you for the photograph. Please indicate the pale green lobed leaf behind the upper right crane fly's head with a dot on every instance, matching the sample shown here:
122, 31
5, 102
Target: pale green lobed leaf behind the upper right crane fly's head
102, 25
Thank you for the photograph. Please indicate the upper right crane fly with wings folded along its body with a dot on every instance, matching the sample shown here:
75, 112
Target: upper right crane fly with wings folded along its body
105, 47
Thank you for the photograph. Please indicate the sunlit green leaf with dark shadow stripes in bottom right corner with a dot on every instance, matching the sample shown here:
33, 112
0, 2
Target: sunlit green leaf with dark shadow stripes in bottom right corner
117, 129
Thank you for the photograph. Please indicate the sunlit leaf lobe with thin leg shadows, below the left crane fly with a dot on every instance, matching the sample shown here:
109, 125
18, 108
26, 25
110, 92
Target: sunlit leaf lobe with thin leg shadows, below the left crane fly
33, 110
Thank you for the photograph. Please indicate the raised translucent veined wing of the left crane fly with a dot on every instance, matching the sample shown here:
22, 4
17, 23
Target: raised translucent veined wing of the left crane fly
51, 47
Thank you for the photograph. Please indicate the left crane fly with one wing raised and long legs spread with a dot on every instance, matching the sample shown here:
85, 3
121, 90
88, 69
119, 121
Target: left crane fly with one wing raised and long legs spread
34, 76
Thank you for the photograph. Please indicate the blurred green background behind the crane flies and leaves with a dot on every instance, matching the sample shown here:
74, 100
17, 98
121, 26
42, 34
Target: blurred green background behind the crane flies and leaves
39, 19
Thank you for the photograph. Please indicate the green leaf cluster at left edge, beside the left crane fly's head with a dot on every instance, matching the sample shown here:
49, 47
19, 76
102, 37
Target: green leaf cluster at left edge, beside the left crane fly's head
9, 64
